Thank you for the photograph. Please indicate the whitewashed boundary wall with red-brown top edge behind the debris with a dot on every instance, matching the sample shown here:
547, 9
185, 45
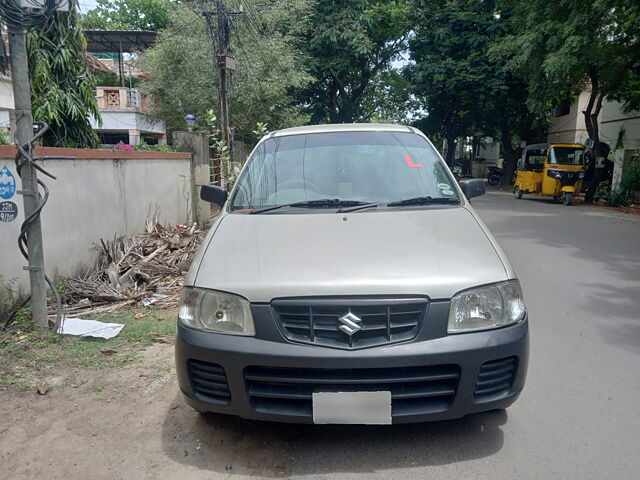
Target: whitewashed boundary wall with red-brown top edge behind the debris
98, 194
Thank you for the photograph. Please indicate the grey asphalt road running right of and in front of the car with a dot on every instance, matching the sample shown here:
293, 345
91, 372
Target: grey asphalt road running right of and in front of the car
579, 415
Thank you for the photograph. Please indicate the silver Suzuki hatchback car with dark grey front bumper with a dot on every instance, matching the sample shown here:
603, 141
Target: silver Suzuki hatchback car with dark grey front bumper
347, 279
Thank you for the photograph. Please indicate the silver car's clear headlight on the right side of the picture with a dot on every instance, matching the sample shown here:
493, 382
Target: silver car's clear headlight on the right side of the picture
483, 308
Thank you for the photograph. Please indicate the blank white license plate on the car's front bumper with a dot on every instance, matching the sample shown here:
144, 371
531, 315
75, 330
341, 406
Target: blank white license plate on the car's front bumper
362, 408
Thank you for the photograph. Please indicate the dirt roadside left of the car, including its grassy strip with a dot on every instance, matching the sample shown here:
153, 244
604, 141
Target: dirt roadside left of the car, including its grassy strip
112, 410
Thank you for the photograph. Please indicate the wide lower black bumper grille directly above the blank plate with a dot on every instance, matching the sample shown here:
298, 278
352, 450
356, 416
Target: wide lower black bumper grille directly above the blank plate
414, 390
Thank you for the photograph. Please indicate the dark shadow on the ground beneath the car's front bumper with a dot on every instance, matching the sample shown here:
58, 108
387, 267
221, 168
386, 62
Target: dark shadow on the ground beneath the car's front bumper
221, 443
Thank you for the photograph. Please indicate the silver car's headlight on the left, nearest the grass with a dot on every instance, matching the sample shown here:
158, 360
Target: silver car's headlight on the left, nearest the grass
216, 312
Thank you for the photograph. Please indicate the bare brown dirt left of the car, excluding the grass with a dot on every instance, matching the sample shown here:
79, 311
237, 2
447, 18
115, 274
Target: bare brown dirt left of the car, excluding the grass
125, 423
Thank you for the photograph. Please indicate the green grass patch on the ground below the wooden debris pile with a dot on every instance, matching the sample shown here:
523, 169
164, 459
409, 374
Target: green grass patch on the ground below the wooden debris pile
24, 352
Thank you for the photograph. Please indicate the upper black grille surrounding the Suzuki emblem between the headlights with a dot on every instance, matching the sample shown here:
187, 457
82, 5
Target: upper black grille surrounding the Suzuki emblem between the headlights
382, 321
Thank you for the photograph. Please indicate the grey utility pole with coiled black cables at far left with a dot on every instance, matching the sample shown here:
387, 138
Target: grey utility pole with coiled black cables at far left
30, 194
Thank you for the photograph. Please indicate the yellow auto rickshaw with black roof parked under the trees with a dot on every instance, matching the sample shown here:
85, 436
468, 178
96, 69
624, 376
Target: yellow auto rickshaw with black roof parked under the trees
555, 169
